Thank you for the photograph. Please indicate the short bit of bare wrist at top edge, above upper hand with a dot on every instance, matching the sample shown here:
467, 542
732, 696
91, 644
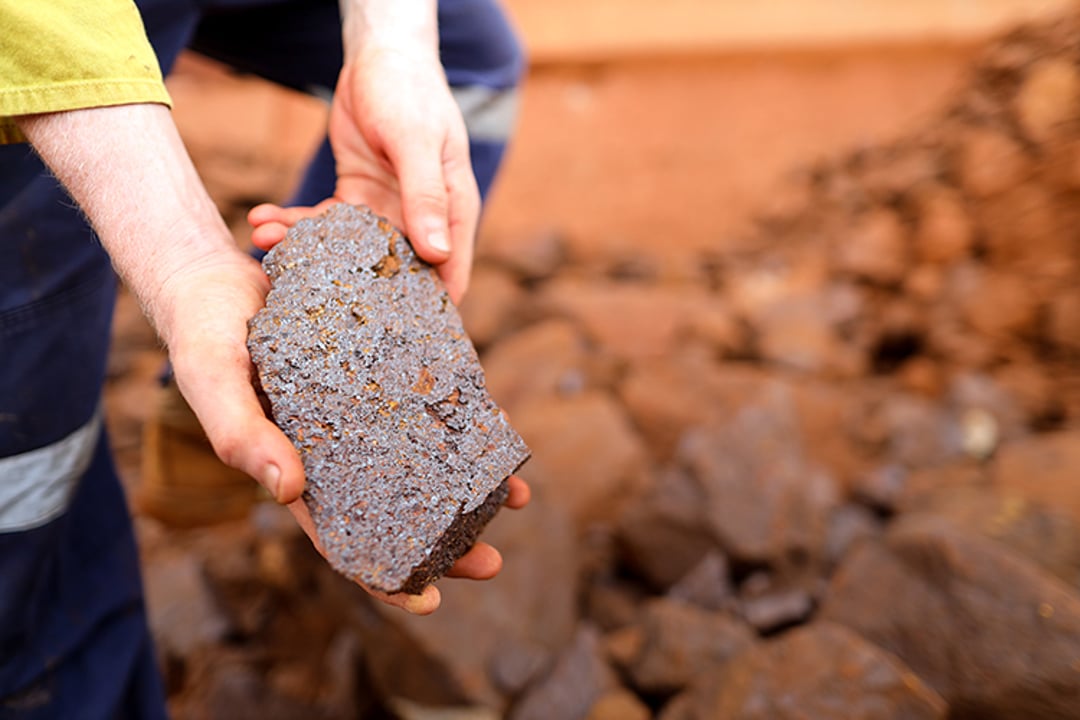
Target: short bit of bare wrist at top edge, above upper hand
382, 25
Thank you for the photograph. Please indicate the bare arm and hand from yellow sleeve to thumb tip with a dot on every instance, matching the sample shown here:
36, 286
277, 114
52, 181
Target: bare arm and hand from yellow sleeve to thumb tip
129, 171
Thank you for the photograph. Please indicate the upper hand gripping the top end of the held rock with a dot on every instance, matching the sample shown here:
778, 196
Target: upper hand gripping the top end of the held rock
401, 148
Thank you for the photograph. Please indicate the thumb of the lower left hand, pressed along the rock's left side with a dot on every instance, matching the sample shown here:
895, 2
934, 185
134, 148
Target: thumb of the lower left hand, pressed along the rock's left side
231, 413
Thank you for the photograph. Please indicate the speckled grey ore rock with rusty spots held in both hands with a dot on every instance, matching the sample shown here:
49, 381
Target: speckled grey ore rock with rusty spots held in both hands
370, 373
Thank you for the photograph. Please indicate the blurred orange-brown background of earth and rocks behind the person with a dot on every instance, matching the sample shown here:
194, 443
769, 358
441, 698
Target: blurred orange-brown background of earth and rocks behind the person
785, 297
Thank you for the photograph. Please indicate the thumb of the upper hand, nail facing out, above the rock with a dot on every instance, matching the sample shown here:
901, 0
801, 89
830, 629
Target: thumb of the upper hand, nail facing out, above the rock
425, 203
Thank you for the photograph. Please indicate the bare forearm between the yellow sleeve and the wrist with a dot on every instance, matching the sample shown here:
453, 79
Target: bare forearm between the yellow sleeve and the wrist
128, 170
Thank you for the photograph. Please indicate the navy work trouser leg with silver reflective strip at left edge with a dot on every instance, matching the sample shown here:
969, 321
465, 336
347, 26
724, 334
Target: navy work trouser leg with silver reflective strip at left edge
74, 639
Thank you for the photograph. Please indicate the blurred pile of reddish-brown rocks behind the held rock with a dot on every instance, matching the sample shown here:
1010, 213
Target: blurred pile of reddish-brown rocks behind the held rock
830, 471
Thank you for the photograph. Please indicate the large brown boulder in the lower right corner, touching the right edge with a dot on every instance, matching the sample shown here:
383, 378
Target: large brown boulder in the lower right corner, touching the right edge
995, 635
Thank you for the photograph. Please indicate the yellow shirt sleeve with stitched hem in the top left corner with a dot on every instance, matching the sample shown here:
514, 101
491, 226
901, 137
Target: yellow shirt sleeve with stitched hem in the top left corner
67, 55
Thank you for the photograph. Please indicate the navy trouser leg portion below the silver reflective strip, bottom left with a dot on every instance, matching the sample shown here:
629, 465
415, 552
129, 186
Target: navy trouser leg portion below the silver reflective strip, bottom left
79, 646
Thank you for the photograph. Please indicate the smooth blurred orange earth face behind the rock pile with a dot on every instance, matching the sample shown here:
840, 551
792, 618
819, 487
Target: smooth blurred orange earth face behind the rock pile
651, 155
